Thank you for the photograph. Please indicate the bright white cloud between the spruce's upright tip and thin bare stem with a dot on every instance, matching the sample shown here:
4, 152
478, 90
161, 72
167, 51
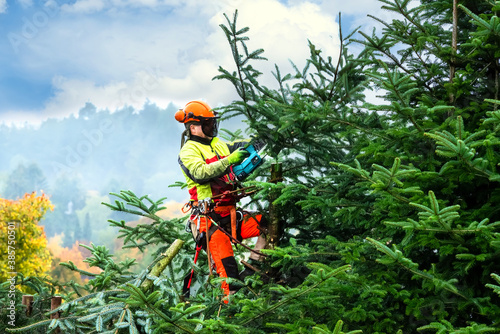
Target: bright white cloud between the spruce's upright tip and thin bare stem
283, 32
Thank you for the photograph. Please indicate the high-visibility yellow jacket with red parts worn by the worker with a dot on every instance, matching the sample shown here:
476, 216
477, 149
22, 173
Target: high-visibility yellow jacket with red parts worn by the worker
206, 168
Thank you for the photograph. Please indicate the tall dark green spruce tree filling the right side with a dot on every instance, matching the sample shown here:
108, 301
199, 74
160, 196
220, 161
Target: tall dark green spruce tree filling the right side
413, 177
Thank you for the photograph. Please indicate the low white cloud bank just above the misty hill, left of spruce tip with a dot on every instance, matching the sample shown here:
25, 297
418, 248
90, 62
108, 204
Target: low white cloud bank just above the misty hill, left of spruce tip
146, 86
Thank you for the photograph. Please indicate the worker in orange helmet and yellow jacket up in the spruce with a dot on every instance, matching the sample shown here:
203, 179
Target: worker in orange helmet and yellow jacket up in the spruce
206, 162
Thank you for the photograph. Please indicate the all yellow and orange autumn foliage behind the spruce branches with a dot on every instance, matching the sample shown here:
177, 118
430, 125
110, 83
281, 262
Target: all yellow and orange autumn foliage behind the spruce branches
39, 257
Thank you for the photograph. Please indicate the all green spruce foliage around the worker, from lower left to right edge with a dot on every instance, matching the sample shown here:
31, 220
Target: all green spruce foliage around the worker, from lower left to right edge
385, 212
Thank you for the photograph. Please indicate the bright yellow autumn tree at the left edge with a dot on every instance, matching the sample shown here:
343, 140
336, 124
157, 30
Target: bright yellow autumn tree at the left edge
29, 251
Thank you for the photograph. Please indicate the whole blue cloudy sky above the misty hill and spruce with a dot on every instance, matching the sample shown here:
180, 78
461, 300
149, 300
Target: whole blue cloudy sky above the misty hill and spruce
57, 55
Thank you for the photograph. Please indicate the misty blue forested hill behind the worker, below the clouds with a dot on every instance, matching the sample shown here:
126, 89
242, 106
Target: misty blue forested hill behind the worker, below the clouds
77, 161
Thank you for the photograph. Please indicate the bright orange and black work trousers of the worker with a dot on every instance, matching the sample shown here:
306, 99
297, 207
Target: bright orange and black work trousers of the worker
219, 244
